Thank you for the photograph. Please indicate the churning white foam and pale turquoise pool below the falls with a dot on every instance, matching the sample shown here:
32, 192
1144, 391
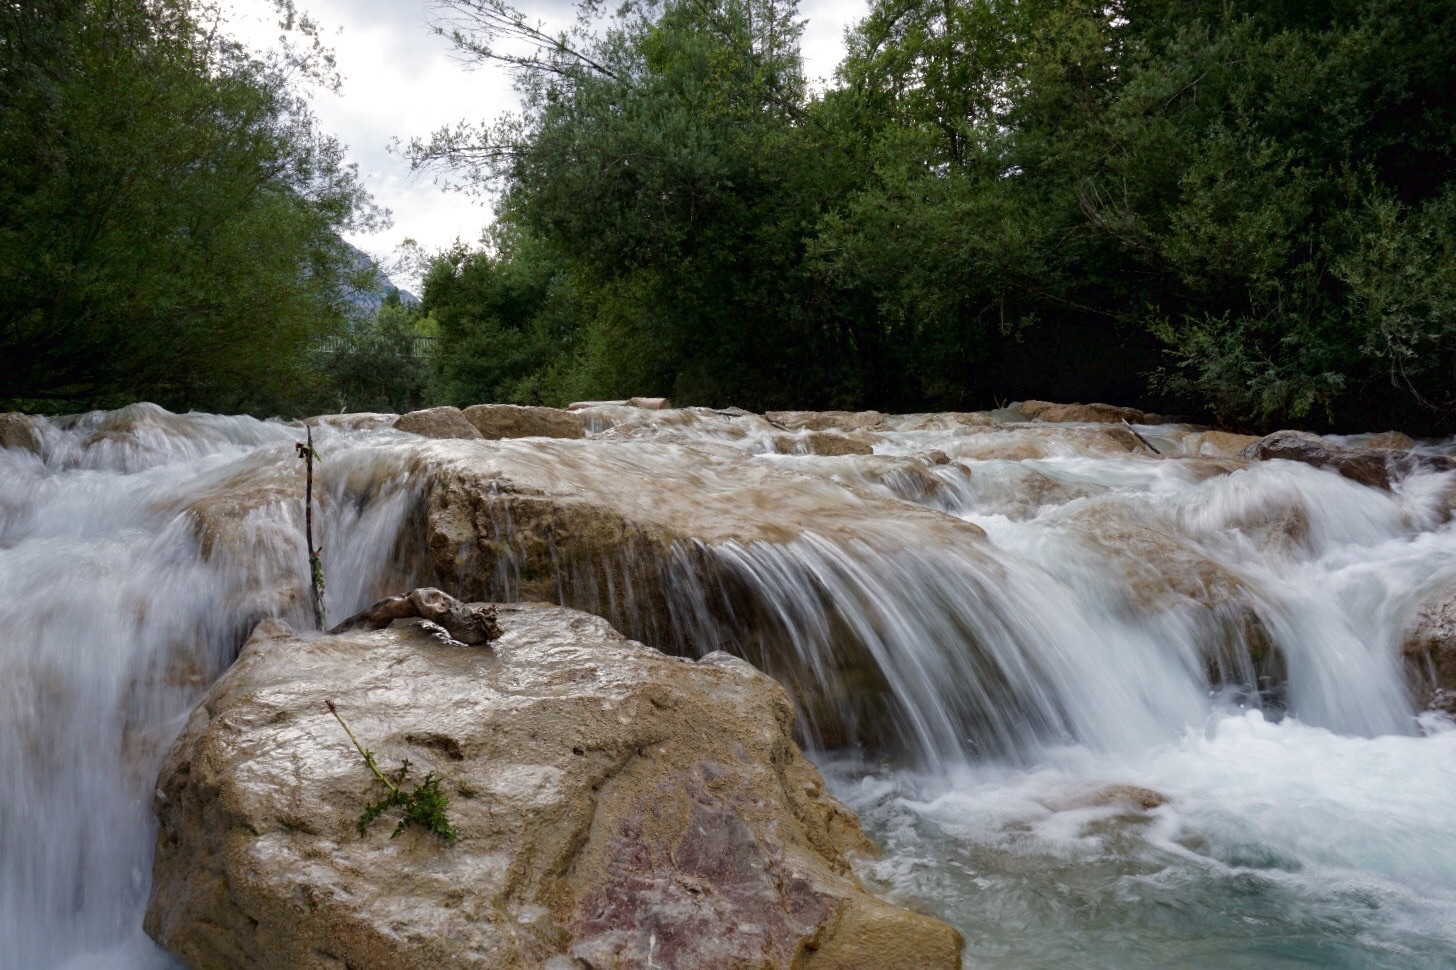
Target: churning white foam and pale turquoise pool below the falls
1278, 845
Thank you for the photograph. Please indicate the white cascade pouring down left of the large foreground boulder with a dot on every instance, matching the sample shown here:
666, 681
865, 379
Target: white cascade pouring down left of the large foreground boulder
138, 550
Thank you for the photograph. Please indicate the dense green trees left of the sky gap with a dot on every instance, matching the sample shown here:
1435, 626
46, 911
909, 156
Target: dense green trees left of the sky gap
170, 213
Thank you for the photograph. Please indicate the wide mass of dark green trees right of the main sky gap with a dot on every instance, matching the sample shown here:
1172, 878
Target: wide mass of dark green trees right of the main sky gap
1247, 209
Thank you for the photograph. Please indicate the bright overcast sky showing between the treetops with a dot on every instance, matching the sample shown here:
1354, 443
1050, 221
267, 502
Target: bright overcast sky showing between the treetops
401, 81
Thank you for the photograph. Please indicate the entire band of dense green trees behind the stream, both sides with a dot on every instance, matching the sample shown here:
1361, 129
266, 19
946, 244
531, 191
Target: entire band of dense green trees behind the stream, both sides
1237, 209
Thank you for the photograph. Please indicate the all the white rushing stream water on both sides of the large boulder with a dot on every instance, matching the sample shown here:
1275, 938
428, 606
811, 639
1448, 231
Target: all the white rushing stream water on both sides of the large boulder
1157, 719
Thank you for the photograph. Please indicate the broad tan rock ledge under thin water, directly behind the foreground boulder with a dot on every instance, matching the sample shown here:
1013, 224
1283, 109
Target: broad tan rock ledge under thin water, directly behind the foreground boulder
611, 531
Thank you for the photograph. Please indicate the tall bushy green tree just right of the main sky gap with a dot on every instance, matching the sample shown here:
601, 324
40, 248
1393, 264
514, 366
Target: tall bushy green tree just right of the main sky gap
670, 165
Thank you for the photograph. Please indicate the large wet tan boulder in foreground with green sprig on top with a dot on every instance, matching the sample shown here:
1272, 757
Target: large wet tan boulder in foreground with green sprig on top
617, 808
